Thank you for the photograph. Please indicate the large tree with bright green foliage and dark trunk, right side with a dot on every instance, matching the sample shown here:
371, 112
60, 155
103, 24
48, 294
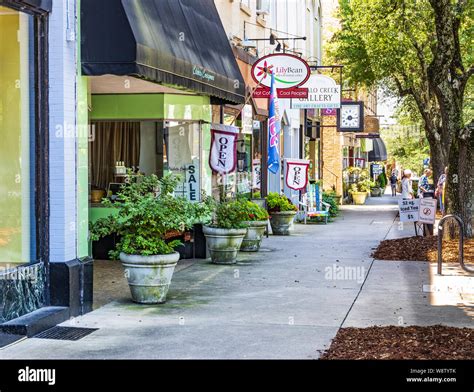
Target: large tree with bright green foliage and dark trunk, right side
415, 49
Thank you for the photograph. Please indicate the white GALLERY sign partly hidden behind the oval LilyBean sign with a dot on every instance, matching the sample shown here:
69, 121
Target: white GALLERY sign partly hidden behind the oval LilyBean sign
323, 93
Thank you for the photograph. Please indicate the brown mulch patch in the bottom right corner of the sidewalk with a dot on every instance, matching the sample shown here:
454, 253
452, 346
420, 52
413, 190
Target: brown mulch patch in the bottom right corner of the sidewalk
414, 342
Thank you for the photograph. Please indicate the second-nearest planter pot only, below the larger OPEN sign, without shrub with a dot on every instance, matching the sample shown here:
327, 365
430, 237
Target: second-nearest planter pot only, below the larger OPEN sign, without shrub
223, 244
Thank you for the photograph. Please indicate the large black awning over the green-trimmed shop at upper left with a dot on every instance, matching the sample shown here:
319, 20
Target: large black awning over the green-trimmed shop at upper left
175, 42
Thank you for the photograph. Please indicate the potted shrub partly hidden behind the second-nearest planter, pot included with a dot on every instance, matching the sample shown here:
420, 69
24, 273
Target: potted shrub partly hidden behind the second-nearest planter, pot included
256, 221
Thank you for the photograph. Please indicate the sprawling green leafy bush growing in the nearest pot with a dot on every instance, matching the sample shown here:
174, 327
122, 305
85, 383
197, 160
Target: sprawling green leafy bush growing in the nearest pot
147, 212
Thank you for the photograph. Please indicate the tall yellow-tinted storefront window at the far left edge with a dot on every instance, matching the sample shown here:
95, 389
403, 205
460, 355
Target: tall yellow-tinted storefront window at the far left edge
17, 129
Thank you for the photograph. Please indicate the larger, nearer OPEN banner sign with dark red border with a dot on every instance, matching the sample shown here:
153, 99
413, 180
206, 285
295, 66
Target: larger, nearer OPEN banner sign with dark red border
223, 154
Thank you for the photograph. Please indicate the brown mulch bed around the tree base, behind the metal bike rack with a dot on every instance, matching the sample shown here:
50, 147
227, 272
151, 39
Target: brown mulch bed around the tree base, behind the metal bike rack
423, 249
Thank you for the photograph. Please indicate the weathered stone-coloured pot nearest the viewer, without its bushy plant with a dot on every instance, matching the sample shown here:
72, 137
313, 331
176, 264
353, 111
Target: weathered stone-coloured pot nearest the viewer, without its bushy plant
149, 277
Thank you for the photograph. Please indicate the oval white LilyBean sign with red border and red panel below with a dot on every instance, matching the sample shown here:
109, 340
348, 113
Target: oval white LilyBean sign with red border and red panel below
290, 73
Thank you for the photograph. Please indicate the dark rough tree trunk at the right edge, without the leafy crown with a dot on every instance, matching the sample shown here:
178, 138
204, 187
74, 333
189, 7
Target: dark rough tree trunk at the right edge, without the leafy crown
448, 78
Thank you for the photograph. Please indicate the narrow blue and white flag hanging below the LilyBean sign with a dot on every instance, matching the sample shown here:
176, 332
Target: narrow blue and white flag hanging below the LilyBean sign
273, 130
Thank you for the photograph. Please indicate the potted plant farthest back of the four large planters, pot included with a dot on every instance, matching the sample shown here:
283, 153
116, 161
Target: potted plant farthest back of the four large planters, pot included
282, 212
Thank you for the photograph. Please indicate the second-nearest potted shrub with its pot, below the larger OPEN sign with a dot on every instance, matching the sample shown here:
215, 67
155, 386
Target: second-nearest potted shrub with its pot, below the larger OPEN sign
225, 233
